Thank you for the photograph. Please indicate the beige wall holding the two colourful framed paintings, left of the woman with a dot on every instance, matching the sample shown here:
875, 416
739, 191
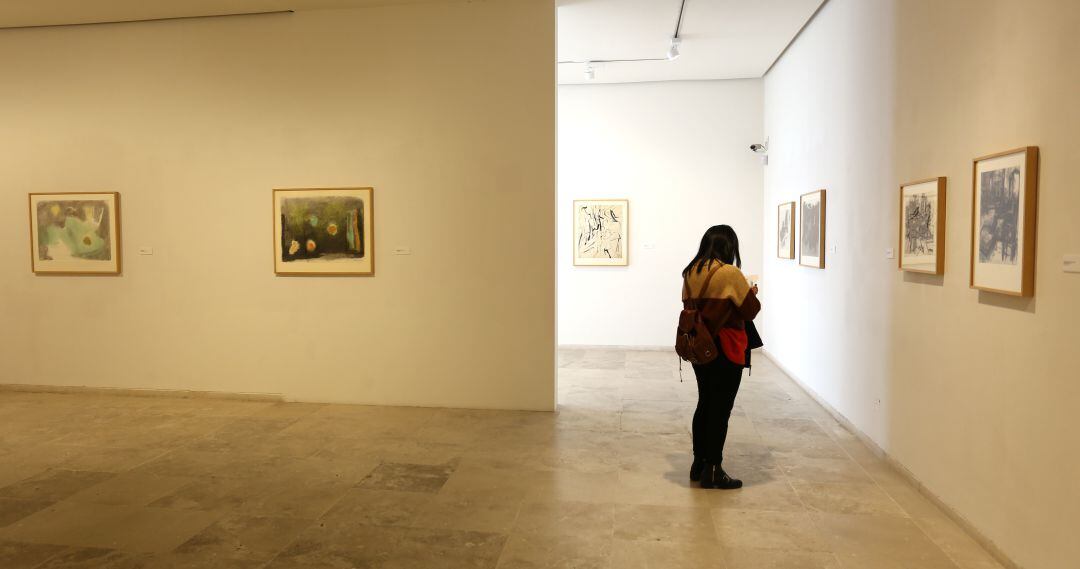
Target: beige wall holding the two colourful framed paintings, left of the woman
448, 111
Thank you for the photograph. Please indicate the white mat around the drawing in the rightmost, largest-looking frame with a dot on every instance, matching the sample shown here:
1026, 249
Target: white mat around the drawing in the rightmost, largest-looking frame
1001, 277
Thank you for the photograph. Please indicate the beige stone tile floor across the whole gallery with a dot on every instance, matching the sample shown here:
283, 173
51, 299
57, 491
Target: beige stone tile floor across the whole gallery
114, 482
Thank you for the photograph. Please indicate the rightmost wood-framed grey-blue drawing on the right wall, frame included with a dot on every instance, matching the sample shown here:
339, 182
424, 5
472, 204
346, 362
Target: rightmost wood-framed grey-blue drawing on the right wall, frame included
1004, 219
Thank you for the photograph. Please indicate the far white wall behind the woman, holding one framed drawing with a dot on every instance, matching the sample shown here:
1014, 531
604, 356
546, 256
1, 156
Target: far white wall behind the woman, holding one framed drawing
680, 152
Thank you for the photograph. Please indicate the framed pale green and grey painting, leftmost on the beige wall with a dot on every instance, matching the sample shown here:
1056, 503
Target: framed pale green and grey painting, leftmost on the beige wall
75, 234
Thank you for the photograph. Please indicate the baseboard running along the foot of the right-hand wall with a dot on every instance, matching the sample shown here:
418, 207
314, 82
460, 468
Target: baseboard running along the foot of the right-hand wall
900, 469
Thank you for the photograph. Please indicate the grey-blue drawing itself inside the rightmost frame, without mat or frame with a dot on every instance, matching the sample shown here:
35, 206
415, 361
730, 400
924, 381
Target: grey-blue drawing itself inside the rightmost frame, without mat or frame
1000, 216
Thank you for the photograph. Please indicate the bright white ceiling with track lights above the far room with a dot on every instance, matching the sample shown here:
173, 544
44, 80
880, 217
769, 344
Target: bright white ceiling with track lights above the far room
722, 39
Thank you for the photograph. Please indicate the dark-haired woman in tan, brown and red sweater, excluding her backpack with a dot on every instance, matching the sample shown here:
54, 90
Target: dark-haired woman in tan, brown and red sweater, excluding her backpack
727, 302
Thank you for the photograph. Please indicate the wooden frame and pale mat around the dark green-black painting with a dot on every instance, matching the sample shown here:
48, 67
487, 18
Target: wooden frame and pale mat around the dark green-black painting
362, 265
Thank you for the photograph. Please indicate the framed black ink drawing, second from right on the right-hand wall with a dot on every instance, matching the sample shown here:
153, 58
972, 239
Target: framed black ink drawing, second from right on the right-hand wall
923, 226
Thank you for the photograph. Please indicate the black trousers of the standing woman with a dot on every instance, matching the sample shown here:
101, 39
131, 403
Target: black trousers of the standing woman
718, 386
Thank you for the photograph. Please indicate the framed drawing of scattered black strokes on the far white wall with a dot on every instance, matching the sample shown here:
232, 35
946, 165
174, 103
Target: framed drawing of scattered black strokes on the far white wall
601, 233
